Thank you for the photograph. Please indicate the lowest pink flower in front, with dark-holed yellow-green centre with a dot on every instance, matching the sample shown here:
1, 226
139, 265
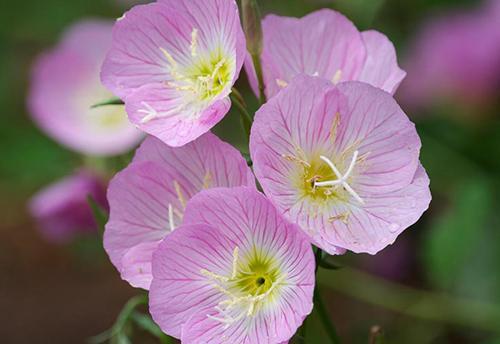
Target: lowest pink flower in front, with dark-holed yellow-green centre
235, 272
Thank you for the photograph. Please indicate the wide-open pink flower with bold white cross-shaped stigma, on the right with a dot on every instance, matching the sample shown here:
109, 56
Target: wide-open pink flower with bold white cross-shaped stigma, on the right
342, 162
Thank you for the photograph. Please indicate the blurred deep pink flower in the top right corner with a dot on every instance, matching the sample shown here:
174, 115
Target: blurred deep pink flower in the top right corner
455, 57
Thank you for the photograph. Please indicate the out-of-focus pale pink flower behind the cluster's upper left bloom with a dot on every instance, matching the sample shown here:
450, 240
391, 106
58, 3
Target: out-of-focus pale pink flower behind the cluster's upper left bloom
65, 84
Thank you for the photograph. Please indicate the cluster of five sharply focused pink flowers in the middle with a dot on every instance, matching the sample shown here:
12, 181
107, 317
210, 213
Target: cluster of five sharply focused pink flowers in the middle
226, 259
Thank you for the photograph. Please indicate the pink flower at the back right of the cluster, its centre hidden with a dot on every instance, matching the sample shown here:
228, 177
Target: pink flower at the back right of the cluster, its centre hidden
324, 44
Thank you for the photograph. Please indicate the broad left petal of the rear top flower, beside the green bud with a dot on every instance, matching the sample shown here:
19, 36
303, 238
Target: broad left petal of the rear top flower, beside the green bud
321, 44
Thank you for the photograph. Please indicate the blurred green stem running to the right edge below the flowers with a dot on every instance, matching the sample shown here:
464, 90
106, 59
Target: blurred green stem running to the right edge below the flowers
438, 307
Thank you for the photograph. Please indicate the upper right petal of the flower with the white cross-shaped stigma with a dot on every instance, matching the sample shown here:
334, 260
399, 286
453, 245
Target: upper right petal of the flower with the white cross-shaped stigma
376, 126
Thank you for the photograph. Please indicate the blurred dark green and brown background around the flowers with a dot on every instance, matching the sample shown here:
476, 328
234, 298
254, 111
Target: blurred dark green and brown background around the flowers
439, 283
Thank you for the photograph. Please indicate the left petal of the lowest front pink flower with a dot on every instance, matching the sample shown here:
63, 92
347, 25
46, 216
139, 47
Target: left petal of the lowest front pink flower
179, 289
